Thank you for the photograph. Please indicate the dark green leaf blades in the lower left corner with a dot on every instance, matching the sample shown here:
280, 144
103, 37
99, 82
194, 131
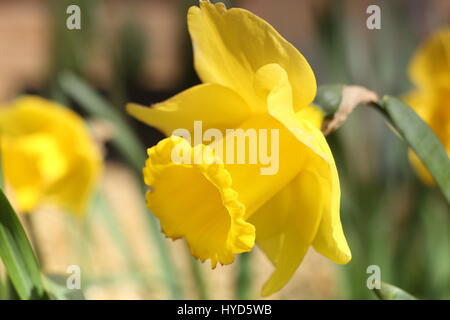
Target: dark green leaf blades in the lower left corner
17, 254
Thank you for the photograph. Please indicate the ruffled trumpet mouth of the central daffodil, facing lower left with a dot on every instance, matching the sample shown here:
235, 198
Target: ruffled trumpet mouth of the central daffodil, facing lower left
207, 213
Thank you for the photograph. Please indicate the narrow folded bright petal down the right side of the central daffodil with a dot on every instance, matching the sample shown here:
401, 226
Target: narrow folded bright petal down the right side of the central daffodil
304, 125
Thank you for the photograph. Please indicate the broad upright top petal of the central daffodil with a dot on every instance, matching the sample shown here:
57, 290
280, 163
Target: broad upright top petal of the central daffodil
231, 45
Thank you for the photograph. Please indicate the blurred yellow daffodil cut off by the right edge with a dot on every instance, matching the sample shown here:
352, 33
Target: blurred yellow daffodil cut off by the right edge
430, 72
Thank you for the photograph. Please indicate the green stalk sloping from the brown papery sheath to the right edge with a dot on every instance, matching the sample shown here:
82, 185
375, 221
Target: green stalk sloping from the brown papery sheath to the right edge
421, 139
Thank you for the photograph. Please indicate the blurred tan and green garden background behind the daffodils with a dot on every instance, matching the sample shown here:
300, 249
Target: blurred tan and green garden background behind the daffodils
139, 51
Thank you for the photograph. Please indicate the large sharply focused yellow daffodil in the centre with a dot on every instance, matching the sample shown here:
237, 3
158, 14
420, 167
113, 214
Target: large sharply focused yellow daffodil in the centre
252, 79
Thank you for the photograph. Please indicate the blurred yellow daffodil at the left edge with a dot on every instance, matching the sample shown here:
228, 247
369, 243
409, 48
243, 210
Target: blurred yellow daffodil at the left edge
47, 155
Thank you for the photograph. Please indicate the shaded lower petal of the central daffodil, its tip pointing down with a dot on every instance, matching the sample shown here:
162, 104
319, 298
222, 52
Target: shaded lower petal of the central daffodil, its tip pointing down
286, 226
